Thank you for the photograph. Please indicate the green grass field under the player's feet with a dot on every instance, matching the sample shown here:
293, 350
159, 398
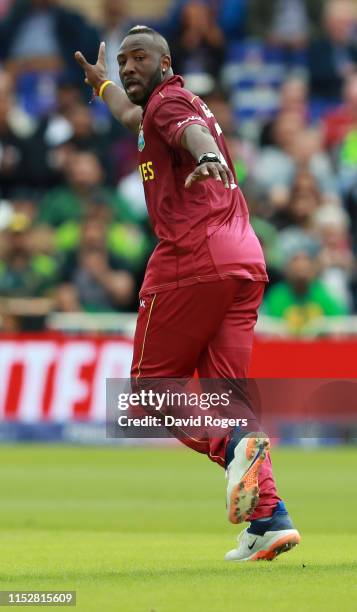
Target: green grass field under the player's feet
146, 530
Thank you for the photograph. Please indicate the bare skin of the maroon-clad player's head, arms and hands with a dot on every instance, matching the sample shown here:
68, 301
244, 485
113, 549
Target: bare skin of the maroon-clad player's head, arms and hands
144, 63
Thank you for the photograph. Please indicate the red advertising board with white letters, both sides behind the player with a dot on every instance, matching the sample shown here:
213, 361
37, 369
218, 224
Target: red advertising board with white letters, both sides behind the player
54, 378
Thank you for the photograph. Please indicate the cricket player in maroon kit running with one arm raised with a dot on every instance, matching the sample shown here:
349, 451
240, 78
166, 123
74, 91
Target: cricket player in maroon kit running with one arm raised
205, 279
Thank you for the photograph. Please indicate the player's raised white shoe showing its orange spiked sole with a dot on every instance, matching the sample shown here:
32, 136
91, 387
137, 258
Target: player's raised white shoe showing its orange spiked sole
242, 476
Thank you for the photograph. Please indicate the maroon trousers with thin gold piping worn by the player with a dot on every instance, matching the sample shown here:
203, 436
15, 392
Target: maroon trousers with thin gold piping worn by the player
207, 328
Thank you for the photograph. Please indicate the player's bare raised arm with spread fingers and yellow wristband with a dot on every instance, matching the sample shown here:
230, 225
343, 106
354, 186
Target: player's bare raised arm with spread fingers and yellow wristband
116, 99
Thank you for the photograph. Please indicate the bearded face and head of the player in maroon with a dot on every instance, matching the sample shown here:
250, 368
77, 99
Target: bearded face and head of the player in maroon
140, 67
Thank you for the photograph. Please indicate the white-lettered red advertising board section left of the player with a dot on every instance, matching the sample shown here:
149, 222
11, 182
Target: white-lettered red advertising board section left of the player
59, 378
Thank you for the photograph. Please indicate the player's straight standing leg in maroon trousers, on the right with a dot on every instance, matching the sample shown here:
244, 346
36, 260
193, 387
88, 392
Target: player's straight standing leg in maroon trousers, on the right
228, 356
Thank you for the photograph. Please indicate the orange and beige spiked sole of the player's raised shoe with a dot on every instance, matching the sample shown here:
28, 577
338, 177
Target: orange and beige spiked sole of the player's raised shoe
245, 494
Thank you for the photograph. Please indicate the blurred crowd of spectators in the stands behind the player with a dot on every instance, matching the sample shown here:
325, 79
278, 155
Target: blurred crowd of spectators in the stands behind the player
281, 79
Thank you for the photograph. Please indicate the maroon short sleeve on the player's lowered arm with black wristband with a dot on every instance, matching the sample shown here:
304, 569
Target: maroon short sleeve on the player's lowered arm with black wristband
172, 116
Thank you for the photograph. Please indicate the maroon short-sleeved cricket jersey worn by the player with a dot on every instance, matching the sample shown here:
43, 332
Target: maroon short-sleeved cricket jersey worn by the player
204, 232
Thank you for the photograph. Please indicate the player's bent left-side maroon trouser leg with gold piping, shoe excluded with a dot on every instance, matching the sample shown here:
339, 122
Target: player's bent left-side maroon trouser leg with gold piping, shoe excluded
173, 329
